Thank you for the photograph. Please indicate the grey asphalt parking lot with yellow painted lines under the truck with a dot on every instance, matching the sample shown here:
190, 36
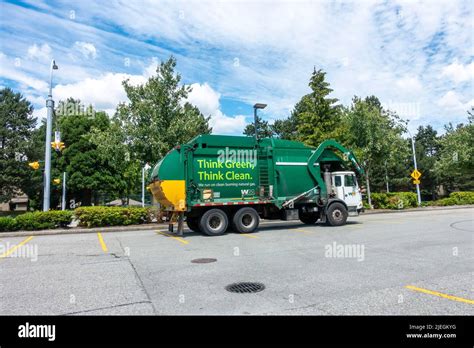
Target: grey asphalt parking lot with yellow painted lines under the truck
402, 263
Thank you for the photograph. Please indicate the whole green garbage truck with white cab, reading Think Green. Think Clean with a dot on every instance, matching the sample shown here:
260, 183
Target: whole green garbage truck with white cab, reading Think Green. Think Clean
216, 183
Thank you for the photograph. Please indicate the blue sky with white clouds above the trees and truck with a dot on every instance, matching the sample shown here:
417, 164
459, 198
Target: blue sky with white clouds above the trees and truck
417, 57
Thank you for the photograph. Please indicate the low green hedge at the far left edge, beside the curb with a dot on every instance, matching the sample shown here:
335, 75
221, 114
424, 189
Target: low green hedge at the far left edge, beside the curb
36, 221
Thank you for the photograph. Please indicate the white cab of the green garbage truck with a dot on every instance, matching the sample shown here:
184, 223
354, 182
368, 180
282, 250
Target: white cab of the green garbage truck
346, 188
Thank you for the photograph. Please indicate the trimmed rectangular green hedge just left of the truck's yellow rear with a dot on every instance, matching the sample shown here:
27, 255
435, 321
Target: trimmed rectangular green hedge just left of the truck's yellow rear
112, 216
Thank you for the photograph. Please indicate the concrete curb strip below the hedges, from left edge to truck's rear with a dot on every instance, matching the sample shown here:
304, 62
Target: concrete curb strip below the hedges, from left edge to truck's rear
147, 227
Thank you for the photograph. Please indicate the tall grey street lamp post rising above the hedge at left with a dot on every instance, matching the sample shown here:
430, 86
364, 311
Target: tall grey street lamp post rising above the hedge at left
47, 154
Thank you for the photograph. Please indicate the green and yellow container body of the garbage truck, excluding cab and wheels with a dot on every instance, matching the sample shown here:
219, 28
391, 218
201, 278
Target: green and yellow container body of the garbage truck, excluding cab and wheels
273, 176
